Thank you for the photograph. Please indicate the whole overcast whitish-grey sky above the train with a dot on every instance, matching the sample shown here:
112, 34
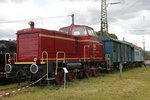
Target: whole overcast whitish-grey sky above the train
129, 19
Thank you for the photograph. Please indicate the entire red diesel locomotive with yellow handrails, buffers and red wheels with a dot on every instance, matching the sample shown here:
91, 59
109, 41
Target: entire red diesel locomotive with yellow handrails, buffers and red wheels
41, 51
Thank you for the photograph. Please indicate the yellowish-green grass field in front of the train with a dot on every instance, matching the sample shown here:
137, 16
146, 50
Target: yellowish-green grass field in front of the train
134, 85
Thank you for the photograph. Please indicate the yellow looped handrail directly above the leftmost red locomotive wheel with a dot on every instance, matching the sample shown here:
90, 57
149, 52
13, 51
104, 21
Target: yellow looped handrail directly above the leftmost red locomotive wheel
57, 59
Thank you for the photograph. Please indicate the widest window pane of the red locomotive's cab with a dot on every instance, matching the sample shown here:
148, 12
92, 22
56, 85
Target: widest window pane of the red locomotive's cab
79, 31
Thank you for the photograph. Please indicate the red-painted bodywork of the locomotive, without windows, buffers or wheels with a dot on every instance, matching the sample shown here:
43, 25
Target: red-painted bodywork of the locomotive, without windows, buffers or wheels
32, 42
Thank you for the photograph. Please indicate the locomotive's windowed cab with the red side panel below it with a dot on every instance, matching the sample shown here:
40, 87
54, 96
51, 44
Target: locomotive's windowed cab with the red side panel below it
92, 45
